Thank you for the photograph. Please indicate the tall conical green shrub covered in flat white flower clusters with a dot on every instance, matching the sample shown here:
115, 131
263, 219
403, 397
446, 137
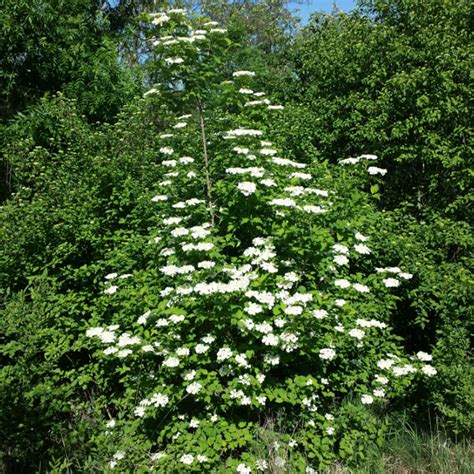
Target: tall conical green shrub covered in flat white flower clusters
258, 295
